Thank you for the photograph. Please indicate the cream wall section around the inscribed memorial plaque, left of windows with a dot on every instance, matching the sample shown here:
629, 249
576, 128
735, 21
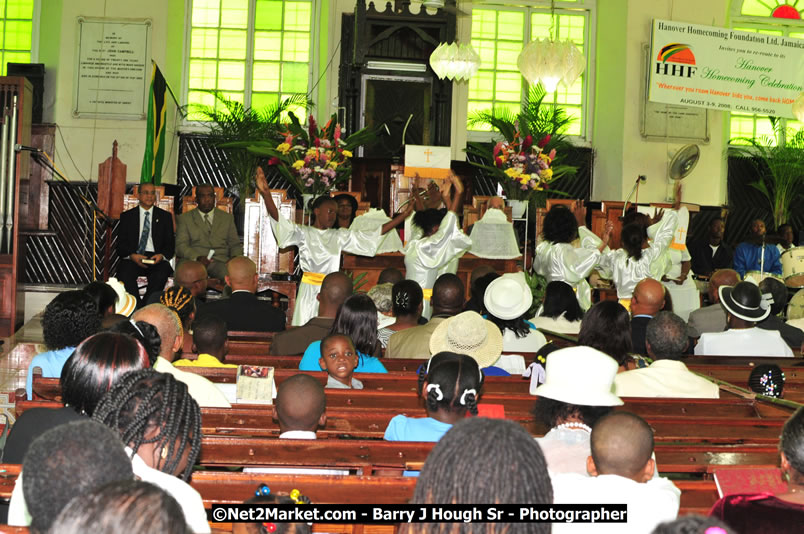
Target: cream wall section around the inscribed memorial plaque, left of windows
89, 141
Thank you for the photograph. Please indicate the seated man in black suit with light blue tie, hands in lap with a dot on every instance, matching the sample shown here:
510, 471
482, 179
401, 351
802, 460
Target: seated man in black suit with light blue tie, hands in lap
145, 244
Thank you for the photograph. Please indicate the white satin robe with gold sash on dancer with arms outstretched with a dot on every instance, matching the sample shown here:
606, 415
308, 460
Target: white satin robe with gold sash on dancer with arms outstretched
320, 252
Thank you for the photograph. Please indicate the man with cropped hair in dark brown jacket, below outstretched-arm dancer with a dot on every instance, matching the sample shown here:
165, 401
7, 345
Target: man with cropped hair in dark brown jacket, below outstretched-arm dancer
335, 288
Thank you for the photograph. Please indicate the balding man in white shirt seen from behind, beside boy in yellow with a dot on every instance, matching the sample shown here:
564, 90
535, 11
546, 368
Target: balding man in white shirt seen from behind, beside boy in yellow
167, 323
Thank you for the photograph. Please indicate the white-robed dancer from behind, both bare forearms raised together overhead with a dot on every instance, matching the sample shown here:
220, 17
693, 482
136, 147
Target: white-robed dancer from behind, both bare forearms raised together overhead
440, 245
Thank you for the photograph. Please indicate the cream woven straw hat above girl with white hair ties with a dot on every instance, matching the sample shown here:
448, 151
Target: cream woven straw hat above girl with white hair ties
468, 333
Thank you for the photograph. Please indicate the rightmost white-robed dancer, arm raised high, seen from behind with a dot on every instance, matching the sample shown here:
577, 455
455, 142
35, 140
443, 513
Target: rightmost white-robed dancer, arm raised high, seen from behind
621, 265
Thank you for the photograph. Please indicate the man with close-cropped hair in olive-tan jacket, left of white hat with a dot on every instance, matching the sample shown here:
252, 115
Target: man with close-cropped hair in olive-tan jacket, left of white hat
448, 300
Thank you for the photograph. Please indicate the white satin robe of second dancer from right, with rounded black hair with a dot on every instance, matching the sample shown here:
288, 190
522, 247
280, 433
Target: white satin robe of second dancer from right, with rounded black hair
564, 262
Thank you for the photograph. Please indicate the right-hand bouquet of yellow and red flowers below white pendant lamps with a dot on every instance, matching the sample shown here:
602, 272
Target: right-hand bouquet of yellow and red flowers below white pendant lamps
525, 167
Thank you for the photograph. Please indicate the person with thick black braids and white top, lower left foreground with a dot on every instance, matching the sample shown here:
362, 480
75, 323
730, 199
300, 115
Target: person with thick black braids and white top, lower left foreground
160, 424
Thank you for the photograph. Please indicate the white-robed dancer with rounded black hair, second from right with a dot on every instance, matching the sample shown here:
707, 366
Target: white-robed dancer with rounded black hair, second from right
557, 259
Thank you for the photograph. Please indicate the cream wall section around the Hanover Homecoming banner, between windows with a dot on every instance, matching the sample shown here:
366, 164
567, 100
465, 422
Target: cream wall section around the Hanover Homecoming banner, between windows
707, 183
